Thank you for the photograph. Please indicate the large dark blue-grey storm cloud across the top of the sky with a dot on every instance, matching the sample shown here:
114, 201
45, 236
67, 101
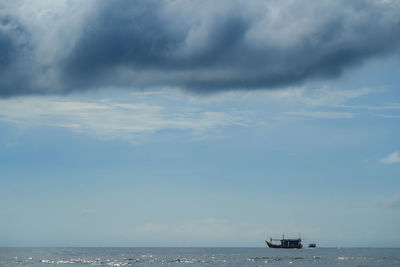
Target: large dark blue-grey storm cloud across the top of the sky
208, 46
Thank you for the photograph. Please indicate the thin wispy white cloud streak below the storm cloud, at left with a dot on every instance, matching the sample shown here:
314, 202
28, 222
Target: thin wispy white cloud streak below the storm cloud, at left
110, 119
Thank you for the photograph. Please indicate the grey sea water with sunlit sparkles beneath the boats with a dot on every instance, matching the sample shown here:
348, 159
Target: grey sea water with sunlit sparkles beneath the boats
50, 257
